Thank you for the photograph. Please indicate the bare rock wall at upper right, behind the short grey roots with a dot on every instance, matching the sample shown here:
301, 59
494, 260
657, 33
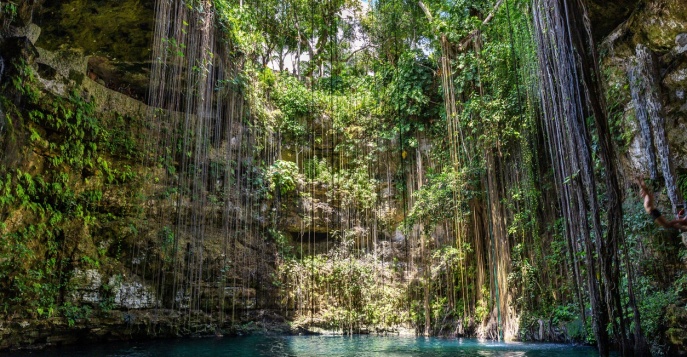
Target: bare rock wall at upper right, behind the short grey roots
660, 26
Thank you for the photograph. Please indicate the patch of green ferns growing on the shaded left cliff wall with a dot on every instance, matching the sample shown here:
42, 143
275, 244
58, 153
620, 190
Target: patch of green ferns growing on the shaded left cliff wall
53, 202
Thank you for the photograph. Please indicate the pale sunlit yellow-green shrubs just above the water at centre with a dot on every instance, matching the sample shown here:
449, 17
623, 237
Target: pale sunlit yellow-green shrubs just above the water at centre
347, 293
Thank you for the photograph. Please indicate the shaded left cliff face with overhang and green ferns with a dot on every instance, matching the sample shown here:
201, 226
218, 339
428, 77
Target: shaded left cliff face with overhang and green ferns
80, 241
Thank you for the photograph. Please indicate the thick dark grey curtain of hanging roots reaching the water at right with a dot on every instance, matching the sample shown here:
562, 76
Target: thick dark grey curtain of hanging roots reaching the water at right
570, 93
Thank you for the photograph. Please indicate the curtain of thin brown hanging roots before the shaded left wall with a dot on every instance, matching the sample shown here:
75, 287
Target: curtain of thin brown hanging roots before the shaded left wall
198, 153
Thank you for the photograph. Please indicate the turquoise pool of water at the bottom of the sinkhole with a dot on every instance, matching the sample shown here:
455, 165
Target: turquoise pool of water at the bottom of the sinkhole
258, 345
